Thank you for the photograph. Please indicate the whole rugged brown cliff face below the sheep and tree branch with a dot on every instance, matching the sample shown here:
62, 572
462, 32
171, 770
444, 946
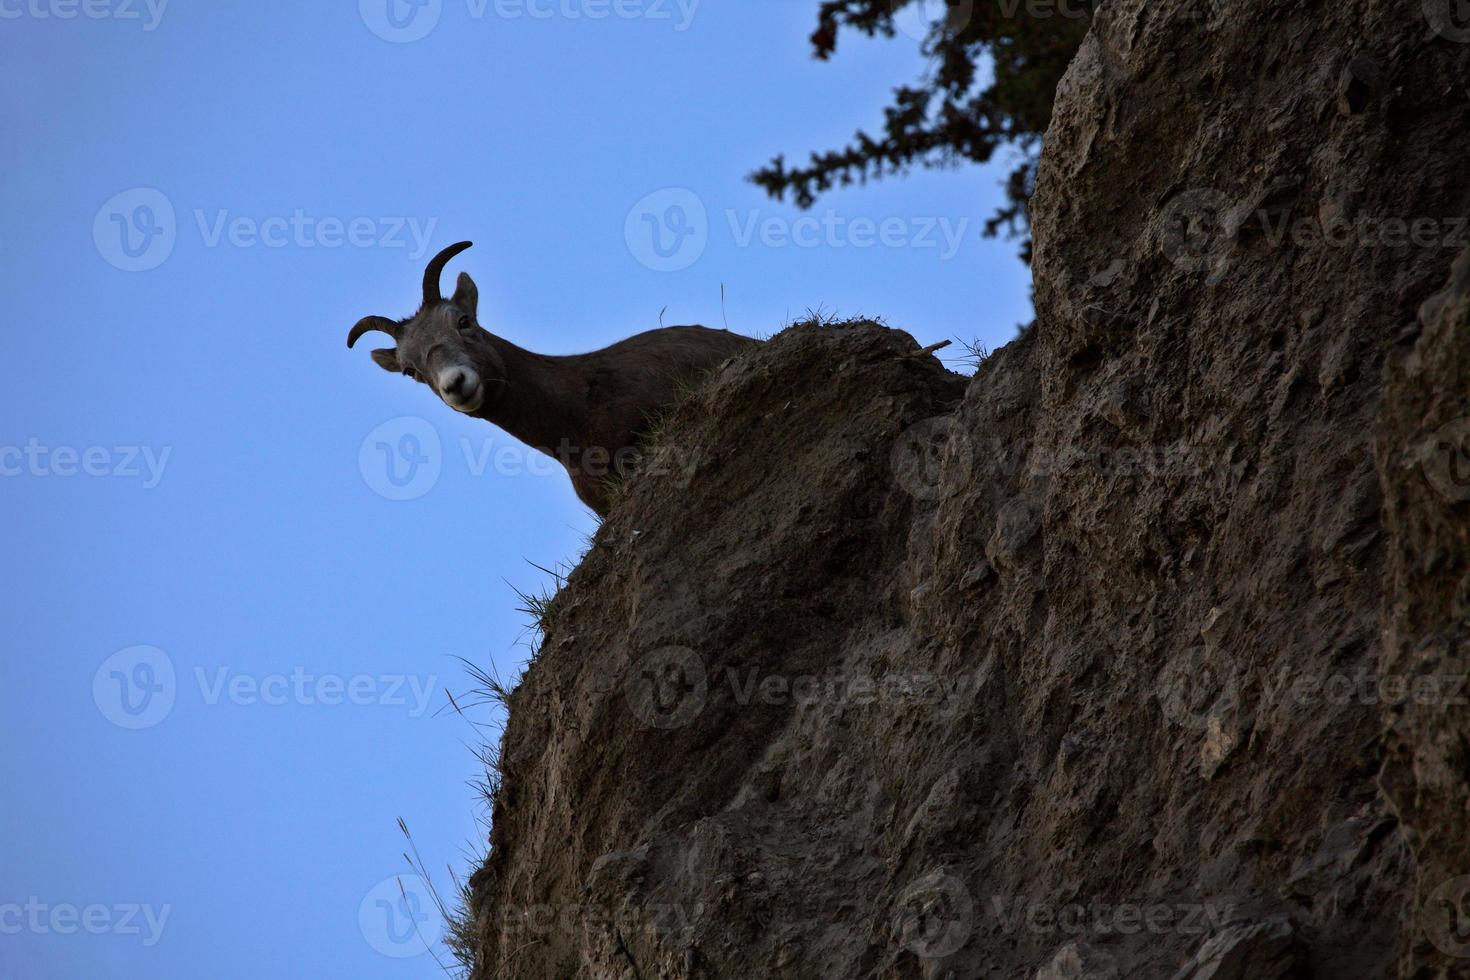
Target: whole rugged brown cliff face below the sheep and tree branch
1140, 655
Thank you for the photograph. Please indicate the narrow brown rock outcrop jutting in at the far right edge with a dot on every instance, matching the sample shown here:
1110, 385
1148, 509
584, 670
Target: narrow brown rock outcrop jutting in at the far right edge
1424, 458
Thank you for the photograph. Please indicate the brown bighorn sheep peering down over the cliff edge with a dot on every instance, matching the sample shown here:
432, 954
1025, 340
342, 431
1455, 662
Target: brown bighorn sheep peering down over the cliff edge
586, 411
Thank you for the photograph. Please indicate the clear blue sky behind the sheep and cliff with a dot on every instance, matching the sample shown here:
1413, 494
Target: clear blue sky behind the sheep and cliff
240, 561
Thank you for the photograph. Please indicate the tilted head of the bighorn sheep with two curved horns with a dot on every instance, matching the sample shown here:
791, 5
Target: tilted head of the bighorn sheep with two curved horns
443, 345
